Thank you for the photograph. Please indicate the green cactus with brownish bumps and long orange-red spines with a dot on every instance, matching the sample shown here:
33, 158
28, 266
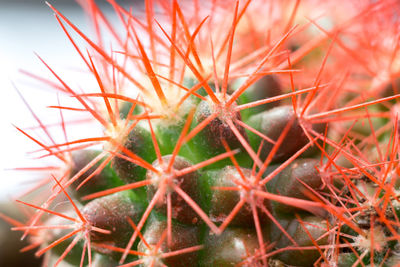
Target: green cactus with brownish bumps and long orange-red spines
233, 133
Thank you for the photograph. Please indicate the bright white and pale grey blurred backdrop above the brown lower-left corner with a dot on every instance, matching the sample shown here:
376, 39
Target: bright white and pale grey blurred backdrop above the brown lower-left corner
26, 28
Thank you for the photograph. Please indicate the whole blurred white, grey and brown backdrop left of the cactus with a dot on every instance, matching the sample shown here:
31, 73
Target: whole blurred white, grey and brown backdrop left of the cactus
28, 27
